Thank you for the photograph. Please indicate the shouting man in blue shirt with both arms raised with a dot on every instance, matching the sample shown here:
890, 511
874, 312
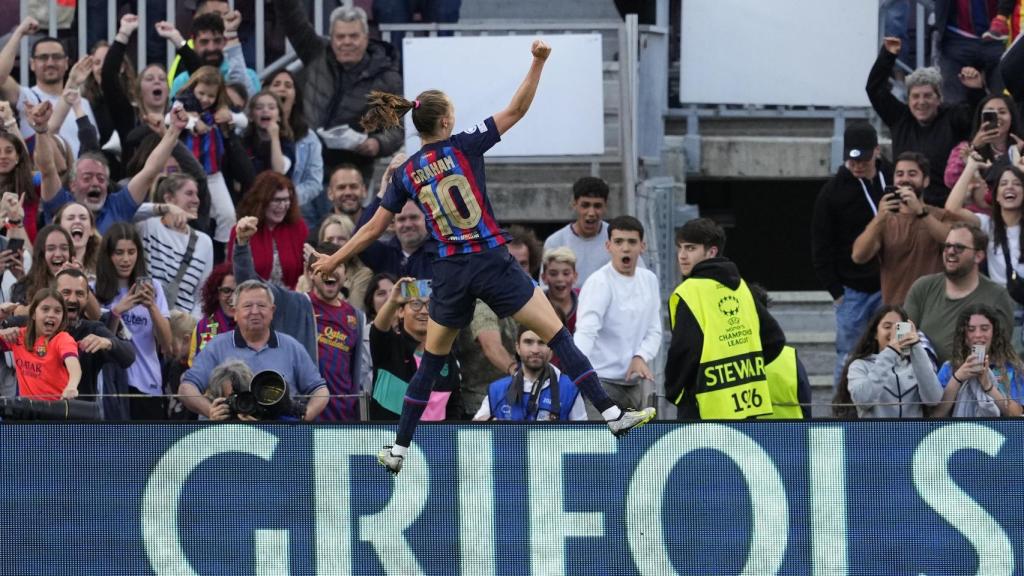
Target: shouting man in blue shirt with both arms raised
90, 182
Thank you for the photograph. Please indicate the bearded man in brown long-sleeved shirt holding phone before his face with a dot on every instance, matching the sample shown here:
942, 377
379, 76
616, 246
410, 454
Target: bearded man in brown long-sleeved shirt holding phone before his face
906, 234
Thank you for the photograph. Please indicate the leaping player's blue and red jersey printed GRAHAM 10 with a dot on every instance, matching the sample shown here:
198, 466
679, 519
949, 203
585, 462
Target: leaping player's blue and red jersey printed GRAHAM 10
447, 181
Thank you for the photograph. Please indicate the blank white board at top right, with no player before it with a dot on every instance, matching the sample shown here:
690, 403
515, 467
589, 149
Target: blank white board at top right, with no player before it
797, 53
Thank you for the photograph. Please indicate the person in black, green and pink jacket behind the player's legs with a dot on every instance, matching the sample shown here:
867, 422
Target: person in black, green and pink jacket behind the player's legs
397, 353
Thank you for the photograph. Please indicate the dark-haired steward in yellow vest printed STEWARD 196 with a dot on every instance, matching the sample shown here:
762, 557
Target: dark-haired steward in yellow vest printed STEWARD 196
722, 340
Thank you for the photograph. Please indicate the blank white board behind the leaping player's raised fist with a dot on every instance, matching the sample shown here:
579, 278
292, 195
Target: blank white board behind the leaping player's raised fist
481, 74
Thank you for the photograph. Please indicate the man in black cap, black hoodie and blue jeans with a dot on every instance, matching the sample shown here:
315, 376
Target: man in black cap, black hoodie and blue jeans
844, 208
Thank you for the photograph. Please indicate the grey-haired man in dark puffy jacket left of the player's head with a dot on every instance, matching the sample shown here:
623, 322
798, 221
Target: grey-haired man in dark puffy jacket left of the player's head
338, 74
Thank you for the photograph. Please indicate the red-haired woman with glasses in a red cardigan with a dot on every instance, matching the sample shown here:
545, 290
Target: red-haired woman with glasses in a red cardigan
277, 246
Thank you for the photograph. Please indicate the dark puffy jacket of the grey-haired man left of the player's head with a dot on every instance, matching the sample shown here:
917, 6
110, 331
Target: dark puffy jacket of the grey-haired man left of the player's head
333, 95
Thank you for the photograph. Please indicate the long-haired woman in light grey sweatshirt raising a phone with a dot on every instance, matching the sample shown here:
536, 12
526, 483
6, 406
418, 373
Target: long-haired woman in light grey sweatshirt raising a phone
889, 375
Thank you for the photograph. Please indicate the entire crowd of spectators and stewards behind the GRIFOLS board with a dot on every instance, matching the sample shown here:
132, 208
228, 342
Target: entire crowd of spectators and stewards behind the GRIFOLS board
162, 226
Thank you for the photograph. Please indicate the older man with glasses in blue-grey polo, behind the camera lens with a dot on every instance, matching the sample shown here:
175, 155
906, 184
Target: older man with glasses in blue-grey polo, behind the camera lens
262, 349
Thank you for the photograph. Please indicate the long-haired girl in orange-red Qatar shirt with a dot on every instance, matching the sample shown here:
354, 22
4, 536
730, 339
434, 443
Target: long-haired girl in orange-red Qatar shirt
46, 356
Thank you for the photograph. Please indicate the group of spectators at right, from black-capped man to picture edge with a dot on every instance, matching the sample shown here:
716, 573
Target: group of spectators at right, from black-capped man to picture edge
922, 258
